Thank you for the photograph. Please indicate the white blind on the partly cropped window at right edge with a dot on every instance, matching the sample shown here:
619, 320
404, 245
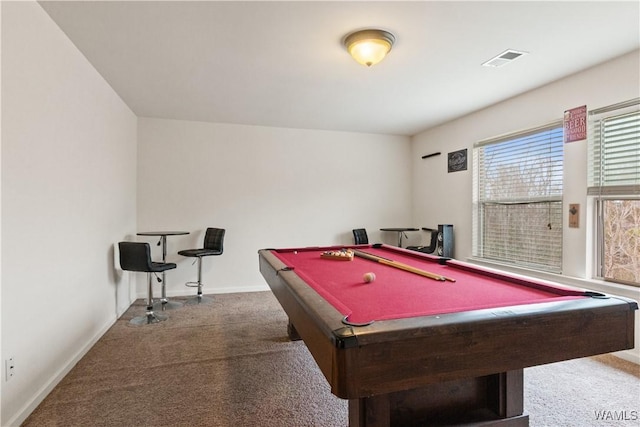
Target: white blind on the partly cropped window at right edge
614, 150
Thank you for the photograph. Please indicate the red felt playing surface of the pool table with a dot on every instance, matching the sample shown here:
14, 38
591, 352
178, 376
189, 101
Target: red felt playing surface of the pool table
396, 293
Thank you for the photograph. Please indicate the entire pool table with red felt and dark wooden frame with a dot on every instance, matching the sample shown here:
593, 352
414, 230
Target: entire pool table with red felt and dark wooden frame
446, 348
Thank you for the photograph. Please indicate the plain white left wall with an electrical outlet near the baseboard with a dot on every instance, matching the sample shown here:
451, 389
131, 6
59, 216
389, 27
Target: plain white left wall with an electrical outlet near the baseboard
68, 194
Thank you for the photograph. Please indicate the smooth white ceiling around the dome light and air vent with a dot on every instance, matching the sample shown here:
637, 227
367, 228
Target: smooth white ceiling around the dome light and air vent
282, 64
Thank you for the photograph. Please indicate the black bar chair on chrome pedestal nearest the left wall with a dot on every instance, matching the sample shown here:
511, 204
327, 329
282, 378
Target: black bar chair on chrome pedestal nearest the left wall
136, 256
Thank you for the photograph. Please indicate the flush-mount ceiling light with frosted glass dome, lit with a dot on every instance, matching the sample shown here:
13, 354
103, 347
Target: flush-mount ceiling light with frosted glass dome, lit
370, 46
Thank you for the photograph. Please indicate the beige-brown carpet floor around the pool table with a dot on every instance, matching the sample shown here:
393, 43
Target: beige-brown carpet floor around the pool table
230, 364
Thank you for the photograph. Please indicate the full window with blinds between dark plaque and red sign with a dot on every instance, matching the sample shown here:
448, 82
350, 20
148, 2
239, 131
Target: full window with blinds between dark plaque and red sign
517, 198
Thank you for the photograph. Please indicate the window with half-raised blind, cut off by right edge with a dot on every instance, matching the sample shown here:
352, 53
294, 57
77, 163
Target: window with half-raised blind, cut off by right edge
614, 183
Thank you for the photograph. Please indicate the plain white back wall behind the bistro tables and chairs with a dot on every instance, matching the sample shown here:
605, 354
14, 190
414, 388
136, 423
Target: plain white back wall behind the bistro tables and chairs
268, 187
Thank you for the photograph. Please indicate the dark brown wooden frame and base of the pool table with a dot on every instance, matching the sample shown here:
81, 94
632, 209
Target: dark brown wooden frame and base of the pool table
450, 369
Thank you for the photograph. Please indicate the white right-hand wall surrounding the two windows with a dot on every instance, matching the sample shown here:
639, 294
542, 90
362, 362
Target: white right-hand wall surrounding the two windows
441, 197
